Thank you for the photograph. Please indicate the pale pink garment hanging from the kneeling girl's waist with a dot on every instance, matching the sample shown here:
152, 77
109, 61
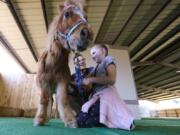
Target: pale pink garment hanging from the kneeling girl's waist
113, 111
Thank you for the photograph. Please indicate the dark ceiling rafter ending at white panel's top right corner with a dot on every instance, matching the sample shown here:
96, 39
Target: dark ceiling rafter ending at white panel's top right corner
151, 20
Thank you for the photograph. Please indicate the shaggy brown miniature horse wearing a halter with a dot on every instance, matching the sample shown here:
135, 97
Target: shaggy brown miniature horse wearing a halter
68, 32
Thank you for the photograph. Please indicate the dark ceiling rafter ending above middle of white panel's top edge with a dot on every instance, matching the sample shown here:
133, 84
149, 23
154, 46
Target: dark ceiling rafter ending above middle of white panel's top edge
128, 20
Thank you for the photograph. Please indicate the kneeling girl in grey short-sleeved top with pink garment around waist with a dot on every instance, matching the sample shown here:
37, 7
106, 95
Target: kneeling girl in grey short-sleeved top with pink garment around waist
104, 108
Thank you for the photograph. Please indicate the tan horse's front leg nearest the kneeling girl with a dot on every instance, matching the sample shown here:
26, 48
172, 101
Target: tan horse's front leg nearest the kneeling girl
65, 111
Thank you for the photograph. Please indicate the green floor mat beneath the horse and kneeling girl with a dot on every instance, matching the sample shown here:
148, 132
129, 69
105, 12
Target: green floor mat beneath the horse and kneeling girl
23, 126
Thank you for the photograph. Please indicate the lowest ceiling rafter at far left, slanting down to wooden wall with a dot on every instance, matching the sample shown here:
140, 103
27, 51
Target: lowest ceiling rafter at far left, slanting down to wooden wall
5, 43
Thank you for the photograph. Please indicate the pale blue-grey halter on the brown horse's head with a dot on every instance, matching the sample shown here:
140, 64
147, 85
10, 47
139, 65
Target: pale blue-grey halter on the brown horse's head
67, 36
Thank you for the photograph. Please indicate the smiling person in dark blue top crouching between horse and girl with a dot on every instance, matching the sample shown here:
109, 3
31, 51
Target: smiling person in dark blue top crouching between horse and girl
78, 93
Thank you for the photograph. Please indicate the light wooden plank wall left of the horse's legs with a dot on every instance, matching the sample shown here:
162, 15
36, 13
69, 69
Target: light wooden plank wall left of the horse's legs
18, 91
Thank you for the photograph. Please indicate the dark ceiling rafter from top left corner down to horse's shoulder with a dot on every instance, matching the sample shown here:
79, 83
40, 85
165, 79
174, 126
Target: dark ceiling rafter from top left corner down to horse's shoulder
18, 22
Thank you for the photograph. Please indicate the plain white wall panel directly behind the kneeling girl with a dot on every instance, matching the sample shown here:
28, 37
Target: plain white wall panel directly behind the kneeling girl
125, 83
